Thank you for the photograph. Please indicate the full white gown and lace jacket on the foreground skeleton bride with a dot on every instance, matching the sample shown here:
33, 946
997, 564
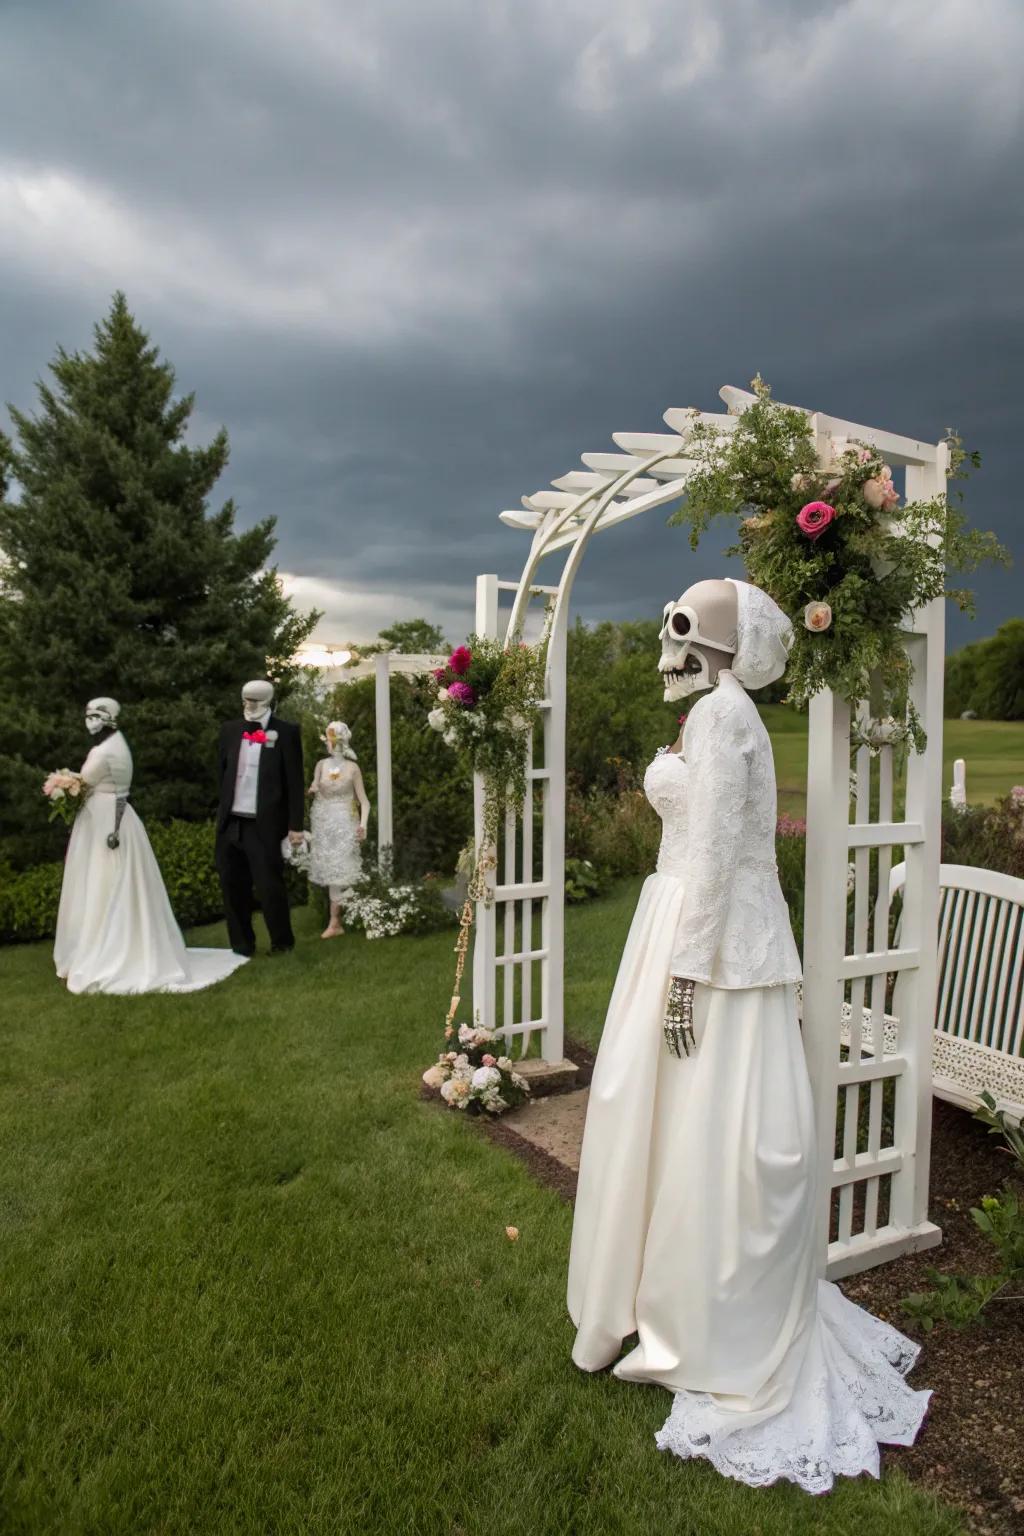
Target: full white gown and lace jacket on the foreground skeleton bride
693, 1222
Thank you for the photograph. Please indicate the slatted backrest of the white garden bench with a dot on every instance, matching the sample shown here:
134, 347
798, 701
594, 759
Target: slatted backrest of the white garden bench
980, 956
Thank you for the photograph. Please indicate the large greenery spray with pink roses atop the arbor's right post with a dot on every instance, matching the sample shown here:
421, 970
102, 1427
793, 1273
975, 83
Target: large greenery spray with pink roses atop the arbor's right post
831, 541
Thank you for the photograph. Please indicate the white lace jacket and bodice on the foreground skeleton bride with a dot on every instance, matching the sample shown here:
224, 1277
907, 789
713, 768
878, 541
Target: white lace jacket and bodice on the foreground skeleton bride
718, 807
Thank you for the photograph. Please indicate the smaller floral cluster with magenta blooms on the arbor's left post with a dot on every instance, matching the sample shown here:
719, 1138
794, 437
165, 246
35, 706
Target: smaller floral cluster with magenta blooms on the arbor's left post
487, 700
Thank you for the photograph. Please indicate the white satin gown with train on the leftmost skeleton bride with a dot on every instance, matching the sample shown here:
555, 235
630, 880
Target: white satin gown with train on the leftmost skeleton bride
116, 930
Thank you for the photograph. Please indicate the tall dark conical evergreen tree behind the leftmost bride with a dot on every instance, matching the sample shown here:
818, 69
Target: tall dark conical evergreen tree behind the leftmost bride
119, 580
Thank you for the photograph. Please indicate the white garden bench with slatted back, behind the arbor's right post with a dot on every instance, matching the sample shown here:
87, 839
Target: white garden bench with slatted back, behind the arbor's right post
979, 1039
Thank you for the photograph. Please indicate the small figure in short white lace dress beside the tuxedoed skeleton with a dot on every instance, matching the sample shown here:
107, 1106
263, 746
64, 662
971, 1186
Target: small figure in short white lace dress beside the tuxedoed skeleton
339, 823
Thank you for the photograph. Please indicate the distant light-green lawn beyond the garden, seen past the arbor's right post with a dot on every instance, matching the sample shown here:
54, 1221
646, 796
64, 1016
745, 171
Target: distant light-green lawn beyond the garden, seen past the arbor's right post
994, 752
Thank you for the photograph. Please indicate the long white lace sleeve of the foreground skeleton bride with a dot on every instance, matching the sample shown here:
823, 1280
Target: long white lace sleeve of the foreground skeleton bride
718, 749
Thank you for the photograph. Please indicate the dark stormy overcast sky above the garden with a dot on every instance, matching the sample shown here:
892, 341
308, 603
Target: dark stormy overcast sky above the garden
418, 256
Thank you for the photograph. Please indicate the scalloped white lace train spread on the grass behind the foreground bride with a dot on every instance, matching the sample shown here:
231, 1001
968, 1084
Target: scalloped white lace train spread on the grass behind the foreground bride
848, 1400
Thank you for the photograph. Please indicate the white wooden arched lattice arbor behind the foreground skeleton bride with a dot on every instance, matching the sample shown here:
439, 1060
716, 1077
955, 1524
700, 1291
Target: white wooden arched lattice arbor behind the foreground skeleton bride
873, 1111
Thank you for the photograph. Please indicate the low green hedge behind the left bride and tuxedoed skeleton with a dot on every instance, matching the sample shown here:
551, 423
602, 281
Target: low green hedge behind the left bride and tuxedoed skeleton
185, 853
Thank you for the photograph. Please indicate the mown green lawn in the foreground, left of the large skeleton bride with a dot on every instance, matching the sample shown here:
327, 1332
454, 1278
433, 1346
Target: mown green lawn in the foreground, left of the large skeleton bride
251, 1283
